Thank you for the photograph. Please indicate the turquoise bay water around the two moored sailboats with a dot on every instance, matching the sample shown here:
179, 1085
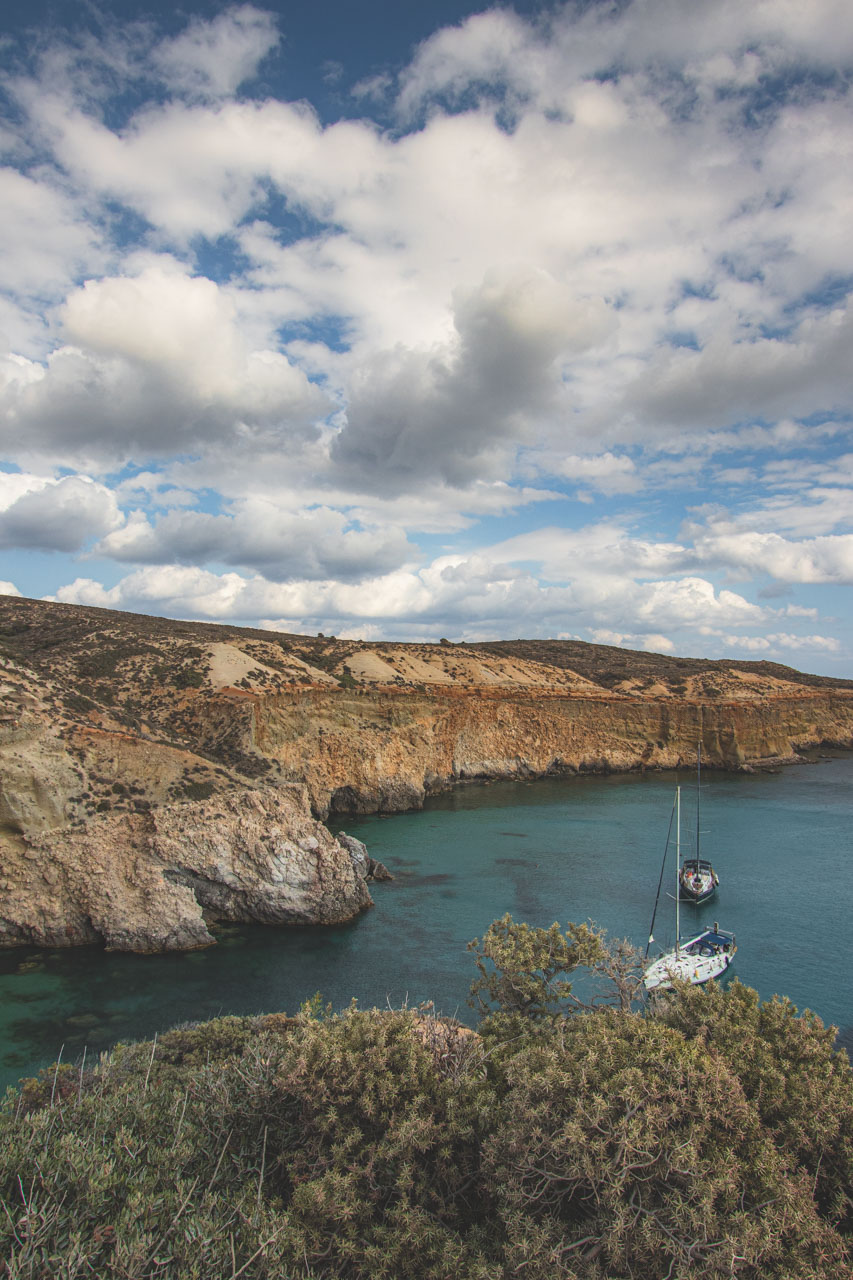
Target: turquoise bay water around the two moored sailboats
550, 851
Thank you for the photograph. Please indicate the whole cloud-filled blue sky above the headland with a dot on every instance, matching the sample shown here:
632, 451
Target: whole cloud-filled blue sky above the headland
408, 322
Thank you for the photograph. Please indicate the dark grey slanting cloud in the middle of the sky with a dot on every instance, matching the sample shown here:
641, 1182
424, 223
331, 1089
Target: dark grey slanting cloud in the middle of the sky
455, 413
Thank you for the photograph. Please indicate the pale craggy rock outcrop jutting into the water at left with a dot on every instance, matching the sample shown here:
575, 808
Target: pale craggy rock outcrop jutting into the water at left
154, 881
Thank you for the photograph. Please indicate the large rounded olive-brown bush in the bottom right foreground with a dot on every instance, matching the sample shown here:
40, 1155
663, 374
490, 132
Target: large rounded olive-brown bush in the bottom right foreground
623, 1150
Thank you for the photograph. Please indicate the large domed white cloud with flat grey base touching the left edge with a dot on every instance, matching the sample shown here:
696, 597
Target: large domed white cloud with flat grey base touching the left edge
157, 364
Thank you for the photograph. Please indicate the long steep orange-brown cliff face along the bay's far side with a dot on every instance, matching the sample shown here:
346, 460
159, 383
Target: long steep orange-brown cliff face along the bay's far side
390, 751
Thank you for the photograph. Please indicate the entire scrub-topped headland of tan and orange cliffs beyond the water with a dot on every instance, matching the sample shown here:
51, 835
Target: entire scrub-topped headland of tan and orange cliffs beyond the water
157, 776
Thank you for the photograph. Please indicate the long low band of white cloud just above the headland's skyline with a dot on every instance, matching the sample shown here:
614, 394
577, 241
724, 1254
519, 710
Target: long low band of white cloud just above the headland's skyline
468, 597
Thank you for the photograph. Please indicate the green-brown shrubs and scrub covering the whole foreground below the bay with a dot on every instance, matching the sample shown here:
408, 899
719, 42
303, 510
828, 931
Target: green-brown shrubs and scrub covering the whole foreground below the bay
709, 1139
